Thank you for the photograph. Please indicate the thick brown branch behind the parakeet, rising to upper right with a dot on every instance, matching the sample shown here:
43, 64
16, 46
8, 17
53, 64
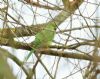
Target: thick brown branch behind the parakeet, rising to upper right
33, 29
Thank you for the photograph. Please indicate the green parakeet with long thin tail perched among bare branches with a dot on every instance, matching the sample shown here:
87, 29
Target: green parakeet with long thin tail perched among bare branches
44, 37
